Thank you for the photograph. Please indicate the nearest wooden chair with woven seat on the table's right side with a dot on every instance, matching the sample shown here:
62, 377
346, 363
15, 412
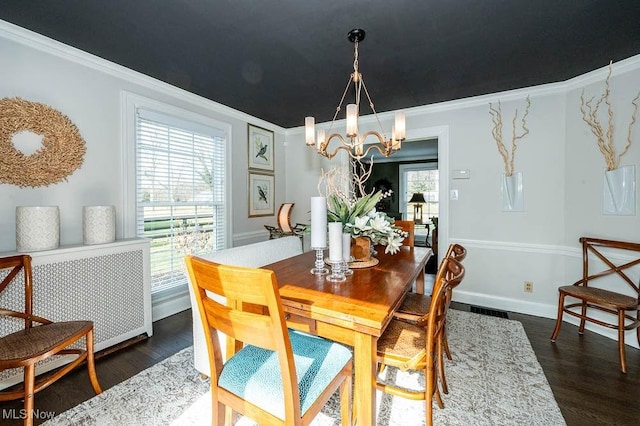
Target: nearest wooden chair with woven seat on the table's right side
418, 347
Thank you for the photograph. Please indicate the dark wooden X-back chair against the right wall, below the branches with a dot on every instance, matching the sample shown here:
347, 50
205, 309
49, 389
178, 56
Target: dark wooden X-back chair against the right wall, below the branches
596, 290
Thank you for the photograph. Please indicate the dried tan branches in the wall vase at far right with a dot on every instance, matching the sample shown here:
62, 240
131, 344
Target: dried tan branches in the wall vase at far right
605, 140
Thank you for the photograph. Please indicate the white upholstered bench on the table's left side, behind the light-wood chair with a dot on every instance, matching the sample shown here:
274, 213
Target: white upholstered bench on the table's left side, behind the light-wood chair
252, 256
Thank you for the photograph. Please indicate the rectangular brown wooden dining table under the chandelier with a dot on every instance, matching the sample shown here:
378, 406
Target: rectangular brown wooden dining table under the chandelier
354, 312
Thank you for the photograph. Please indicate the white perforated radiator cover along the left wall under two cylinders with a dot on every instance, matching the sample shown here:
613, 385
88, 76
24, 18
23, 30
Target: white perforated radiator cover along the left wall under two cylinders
108, 284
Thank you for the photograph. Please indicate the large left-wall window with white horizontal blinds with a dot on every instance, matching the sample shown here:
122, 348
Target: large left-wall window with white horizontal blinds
180, 192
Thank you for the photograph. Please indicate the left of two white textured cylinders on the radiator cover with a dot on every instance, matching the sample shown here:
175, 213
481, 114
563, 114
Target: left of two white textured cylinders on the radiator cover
37, 228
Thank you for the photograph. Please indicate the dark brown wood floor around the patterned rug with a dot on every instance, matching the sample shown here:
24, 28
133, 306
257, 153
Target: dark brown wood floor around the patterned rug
583, 372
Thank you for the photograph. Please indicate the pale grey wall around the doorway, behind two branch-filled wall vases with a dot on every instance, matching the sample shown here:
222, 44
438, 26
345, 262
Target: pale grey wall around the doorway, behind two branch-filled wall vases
563, 175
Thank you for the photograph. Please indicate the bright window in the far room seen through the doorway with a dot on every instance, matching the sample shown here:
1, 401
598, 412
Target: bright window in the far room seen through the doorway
420, 178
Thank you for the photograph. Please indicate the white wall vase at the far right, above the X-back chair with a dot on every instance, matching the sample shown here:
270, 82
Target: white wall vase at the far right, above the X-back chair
619, 191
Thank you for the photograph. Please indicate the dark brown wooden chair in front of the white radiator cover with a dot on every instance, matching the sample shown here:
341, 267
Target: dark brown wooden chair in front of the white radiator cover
37, 338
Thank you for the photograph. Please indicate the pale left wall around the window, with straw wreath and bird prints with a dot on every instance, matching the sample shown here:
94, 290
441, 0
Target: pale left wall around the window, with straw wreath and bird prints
88, 90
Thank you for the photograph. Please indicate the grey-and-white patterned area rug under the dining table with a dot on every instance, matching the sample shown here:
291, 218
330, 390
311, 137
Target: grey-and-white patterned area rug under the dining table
494, 379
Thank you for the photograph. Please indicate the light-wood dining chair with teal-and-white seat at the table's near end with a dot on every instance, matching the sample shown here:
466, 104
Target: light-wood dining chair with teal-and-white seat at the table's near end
277, 376
